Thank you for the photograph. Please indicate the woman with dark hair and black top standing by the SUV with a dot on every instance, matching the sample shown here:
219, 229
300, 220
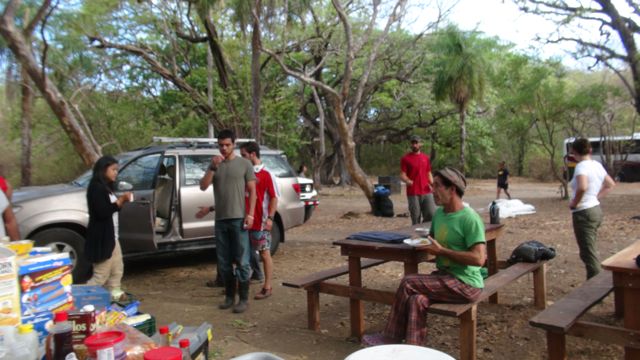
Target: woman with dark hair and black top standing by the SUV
102, 247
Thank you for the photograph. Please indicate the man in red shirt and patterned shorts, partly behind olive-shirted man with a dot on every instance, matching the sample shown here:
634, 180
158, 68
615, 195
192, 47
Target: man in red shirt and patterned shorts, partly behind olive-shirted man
265, 210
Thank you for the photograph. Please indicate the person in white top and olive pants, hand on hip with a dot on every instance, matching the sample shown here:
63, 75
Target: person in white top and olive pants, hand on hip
590, 183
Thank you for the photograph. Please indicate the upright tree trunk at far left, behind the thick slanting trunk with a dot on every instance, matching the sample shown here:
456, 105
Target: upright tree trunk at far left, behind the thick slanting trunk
25, 132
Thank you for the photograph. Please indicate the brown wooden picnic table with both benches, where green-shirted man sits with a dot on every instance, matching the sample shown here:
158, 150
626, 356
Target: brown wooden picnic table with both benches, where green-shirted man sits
365, 254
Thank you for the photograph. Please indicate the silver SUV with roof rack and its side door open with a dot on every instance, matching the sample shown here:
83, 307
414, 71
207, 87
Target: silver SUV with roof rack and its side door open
165, 181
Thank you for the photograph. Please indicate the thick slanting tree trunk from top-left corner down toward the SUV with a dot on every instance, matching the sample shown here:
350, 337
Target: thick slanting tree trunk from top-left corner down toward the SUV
58, 104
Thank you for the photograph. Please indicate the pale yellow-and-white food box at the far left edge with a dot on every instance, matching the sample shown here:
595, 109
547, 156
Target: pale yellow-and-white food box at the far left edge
9, 291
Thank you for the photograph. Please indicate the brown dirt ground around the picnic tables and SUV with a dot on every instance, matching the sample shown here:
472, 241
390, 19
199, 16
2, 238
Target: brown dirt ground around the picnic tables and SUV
172, 287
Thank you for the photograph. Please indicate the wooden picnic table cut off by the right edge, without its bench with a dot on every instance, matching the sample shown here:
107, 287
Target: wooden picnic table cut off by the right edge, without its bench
626, 284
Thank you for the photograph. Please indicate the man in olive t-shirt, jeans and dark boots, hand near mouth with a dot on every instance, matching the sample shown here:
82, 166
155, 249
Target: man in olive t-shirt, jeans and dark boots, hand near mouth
231, 176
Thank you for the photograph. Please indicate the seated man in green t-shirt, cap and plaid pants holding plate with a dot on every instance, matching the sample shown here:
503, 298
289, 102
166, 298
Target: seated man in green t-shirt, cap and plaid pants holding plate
457, 240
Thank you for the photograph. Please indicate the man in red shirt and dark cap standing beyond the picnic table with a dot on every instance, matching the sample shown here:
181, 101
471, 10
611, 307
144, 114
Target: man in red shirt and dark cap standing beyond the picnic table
415, 171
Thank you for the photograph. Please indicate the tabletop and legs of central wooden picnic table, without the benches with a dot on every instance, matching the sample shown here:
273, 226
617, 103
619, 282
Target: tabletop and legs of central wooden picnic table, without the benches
411, 256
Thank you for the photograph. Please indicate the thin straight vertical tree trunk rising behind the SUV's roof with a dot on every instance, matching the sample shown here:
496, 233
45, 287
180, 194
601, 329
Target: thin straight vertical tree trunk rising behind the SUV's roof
255, 73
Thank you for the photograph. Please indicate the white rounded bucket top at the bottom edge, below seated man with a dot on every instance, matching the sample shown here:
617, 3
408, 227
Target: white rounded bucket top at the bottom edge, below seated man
398, 352
